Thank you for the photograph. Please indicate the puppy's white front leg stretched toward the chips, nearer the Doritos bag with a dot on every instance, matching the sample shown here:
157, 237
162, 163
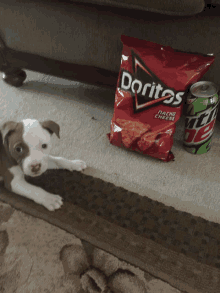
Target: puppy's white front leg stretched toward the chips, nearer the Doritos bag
62, 163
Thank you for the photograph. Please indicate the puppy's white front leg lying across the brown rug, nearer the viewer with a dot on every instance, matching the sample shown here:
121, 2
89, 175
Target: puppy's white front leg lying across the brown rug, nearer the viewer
37, 194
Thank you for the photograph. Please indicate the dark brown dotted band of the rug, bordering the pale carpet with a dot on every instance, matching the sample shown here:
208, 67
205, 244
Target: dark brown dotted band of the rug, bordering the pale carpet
176, 230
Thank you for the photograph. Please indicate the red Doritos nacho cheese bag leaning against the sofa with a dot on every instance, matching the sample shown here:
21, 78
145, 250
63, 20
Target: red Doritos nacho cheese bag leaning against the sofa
151, 87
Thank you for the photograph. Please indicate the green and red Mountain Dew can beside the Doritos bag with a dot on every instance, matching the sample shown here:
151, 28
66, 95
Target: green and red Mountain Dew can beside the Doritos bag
201, 112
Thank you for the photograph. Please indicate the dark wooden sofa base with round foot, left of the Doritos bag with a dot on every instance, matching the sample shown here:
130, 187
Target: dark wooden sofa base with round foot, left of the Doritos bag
13, 63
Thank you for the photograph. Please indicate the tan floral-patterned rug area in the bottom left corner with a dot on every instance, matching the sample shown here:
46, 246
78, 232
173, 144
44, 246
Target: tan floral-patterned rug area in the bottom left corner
37, 257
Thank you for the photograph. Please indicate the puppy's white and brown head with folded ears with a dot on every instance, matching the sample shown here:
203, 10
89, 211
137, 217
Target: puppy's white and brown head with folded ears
28, 143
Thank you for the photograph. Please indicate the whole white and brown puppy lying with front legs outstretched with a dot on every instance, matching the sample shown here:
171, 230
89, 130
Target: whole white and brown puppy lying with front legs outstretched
25, 148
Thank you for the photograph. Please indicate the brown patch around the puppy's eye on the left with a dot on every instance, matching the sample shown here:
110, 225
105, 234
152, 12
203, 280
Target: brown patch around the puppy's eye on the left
14, 145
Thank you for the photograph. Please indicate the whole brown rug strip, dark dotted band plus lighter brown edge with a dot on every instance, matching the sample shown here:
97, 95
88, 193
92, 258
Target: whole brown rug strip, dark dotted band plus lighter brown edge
175, 246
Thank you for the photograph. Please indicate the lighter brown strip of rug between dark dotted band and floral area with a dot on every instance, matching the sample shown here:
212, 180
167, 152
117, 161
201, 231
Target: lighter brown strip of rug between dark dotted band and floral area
136, 250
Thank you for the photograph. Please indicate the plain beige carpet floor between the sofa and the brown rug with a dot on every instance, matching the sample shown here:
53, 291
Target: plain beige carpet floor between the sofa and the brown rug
189, 184
